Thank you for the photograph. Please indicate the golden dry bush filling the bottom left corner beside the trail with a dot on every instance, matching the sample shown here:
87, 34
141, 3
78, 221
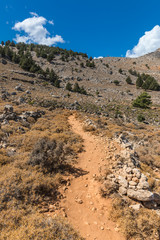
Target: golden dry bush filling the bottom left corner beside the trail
18, 226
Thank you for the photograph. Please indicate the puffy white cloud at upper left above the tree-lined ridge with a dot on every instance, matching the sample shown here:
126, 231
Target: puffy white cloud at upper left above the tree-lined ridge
34, 31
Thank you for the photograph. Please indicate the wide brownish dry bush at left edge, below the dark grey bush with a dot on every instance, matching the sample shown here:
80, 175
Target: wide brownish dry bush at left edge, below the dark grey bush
20, 189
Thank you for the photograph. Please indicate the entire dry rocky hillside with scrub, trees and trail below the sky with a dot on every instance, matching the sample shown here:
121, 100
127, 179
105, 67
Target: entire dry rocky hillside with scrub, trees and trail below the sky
81, 163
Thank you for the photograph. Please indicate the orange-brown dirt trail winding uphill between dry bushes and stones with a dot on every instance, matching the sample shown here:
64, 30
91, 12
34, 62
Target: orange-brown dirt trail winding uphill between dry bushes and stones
86, 210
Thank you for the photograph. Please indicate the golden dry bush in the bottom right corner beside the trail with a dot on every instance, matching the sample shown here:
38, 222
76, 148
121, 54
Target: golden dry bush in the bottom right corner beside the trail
142, 224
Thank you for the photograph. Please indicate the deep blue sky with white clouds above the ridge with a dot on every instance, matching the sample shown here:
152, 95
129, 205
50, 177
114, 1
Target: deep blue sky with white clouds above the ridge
98, 28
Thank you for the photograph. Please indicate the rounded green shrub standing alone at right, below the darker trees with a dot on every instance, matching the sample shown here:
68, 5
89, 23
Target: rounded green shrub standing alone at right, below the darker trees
142, 101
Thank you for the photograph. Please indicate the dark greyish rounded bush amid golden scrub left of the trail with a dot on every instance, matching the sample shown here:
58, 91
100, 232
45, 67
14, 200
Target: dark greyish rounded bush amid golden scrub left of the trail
49, 155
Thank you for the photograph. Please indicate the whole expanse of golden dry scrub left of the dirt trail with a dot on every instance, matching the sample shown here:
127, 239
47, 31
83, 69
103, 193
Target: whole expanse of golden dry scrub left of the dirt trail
24, 187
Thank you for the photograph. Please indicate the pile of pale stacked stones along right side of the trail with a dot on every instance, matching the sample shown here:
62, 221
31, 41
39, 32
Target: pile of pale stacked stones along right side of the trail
130, 180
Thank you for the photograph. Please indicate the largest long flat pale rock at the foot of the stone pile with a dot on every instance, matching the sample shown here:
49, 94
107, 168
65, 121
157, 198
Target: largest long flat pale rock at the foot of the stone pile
140, 195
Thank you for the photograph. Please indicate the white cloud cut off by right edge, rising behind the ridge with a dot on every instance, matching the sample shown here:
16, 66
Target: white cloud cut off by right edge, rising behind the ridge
149, 42
